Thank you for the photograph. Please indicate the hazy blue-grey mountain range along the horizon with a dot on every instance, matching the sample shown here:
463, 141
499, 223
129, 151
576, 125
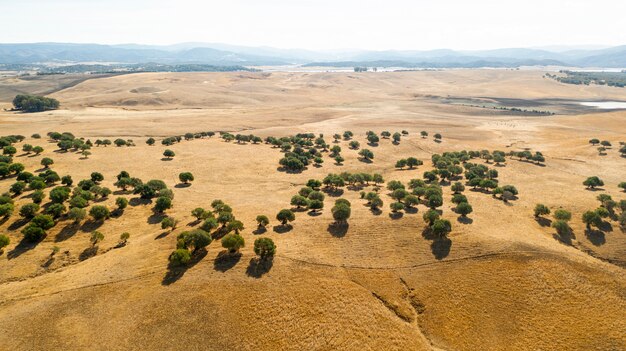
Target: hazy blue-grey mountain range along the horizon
223, 54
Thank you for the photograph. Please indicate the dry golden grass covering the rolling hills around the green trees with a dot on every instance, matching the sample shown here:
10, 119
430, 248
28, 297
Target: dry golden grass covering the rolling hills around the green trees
501, 283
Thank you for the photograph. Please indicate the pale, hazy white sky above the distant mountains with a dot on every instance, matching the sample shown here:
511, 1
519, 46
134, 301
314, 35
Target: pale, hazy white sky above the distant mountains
319, 24
